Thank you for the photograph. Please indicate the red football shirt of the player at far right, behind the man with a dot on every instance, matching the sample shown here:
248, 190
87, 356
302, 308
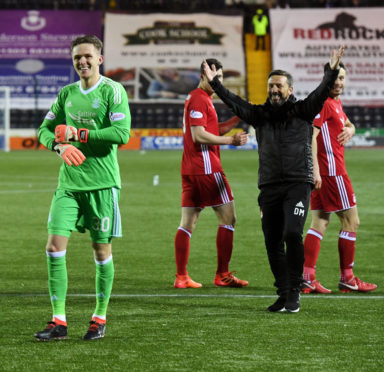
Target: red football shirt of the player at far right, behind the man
330, 153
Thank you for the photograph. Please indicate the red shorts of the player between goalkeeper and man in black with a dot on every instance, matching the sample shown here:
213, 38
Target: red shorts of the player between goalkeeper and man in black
208, 190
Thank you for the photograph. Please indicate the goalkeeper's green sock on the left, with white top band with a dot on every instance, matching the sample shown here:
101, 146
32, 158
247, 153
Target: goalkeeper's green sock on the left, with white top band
57, 281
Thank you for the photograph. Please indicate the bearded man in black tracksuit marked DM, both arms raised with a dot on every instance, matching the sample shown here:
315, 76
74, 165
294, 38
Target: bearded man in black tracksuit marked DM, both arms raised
284, 134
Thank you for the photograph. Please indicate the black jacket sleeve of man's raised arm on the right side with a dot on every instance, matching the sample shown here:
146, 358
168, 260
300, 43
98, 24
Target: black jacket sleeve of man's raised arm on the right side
312, 105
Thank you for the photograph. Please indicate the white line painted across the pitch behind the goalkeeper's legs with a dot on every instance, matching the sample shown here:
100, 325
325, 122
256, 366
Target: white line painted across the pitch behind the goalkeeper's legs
175, 295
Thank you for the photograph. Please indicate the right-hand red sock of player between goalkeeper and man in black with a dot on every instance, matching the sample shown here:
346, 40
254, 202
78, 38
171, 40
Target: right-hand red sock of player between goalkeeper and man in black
224, 245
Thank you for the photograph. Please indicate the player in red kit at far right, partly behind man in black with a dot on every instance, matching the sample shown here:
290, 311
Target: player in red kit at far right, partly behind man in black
333, 193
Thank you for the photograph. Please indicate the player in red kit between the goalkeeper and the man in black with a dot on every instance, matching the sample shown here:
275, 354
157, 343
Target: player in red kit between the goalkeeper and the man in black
204, 183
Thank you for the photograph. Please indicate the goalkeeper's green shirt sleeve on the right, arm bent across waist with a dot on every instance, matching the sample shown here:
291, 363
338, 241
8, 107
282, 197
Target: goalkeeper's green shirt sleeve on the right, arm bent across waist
119, 117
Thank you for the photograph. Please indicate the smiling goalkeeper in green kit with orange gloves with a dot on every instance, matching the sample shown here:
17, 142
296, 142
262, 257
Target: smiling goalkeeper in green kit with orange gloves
96, 112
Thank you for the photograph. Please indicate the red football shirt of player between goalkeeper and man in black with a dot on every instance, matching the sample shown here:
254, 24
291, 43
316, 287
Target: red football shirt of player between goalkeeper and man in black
200, 158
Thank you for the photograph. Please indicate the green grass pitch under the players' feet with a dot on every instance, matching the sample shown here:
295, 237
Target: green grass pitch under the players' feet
154, 327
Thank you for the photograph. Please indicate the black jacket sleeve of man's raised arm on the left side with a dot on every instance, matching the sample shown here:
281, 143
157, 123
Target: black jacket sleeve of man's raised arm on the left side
240, 107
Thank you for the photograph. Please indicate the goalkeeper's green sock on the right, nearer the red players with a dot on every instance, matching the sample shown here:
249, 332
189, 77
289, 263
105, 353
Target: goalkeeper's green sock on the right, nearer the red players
104, 280
